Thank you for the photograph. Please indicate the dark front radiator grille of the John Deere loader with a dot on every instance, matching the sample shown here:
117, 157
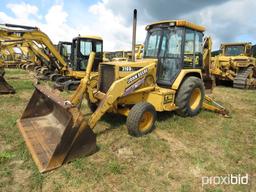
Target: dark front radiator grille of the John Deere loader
107, 77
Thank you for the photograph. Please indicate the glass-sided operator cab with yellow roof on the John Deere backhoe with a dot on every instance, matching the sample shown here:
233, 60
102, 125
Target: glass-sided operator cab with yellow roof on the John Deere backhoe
177, 45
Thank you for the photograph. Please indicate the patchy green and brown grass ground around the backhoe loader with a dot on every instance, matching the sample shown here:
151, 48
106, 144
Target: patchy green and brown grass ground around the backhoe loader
172, 158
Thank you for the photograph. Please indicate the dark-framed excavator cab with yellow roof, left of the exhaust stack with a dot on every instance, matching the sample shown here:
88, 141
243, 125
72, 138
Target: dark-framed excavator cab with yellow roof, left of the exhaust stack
82, 46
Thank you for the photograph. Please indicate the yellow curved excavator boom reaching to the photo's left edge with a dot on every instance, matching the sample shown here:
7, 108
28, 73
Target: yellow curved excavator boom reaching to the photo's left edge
36, 35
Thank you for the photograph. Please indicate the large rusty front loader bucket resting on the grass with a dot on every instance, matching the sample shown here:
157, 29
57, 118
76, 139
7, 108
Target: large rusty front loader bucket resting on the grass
54, 132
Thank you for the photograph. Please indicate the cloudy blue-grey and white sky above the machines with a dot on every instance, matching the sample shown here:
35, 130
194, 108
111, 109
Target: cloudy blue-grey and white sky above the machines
62, 20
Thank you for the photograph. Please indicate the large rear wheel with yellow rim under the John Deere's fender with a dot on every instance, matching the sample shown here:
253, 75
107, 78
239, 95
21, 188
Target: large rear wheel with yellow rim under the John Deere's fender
190, 97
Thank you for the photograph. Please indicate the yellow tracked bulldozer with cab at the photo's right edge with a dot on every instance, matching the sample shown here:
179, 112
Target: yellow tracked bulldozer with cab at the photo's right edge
235, 64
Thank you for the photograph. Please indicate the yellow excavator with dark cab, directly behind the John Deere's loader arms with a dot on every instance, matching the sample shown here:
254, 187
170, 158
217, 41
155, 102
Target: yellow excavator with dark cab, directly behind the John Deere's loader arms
66, 74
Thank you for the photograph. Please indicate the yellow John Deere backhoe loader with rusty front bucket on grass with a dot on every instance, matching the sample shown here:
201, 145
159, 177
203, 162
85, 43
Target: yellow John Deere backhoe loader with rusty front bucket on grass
169, 78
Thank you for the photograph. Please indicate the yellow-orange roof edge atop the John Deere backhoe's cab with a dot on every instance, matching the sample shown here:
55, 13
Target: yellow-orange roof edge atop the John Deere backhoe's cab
179, 23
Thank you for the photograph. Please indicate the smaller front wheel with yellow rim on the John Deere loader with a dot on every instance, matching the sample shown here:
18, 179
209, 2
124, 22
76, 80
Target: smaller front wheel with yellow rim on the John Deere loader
141, 119
